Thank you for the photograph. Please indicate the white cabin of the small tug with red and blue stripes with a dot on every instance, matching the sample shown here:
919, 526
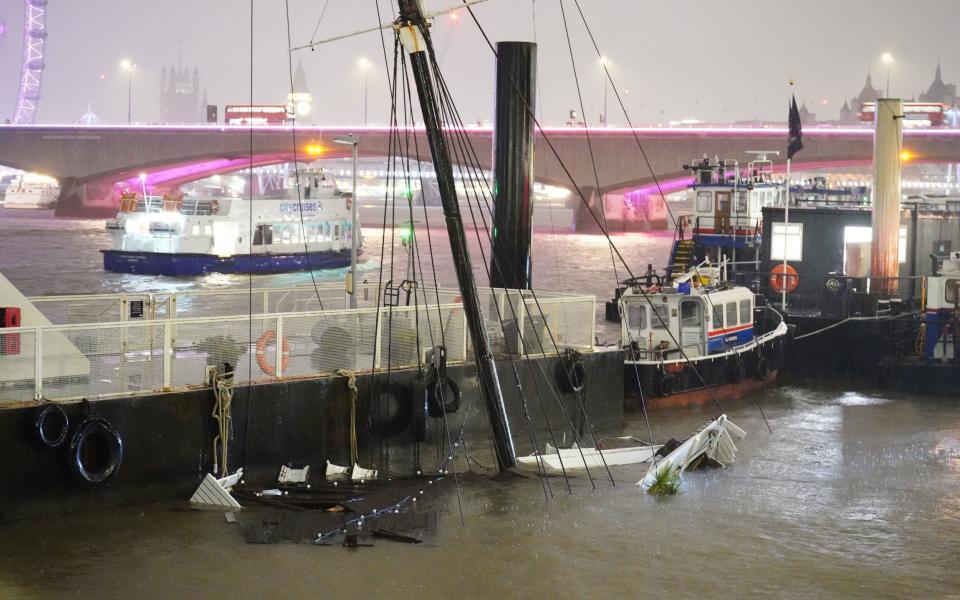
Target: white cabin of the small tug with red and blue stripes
704, 321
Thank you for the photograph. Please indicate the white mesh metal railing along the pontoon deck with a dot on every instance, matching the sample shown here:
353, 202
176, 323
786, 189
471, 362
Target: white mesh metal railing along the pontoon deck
152, 347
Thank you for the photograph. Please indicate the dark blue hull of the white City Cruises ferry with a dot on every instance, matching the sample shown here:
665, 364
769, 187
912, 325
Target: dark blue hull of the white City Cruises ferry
184, 265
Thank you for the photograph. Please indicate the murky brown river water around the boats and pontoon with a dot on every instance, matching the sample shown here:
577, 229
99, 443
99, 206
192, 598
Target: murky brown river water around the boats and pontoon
853, 494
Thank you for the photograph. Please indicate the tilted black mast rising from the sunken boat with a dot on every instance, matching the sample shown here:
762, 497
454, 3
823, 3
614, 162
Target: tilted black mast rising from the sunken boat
413, 29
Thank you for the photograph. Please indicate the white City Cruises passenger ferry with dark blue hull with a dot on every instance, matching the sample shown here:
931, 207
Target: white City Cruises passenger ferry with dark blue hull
183, 236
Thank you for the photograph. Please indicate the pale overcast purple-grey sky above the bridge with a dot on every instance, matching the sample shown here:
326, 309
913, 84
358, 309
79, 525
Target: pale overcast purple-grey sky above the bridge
717, 61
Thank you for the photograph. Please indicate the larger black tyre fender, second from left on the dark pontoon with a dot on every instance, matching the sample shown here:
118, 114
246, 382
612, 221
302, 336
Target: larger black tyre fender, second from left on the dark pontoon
96, 452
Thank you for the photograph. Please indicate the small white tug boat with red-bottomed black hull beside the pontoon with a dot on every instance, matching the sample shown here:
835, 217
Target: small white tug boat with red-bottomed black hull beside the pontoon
698, 331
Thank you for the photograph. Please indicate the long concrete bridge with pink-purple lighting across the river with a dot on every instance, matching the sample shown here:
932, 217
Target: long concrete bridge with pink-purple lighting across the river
90, 160
